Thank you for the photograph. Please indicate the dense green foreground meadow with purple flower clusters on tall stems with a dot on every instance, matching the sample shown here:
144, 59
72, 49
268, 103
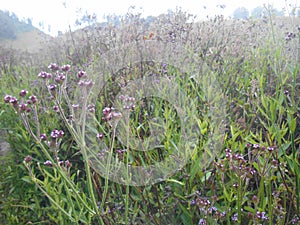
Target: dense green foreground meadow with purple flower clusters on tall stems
162, 122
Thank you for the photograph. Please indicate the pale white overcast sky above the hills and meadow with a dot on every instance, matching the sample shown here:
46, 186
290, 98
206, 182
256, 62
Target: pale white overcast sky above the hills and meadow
59, 14
